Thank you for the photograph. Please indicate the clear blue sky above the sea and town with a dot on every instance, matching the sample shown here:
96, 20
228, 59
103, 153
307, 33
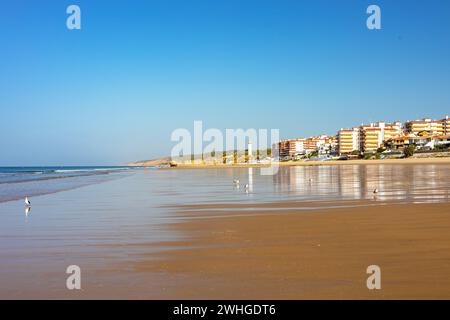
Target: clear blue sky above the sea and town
113, 91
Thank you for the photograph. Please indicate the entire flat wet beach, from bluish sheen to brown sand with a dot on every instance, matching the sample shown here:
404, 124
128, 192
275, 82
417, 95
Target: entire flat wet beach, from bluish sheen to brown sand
307, 232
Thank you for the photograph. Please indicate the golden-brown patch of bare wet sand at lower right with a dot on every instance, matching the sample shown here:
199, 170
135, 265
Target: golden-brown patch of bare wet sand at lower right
309, 255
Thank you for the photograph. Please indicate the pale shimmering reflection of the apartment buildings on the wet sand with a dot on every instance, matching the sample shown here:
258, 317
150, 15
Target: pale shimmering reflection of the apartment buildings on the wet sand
413, 183
